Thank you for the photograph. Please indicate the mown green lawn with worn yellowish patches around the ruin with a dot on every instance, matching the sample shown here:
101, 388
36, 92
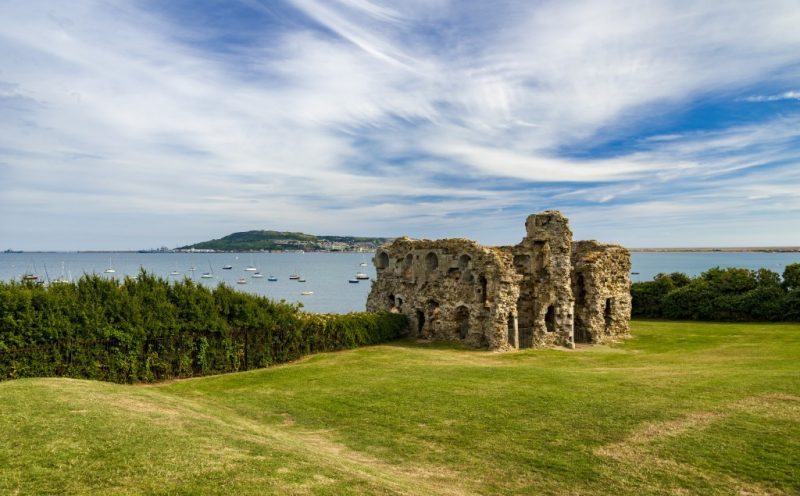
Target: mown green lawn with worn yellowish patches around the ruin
680, 408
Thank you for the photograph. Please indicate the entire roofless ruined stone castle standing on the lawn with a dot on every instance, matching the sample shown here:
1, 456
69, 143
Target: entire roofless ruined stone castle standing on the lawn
547, 290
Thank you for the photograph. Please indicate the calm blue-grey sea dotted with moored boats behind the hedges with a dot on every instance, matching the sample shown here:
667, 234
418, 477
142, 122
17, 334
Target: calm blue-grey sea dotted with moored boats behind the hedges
326, 275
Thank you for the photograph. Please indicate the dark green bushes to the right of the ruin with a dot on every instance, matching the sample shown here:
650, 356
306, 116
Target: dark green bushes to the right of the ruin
731, 294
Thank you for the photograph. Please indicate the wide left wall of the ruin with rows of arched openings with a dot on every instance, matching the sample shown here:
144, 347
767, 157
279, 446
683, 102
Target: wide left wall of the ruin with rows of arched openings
450, 289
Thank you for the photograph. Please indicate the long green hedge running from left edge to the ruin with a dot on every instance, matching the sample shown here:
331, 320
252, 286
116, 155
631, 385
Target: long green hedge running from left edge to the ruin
147, 329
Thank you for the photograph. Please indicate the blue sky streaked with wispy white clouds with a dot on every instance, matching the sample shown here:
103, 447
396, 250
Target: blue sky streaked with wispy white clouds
142, 123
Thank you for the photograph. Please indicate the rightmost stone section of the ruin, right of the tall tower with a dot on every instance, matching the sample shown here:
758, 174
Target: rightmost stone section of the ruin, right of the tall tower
602, 289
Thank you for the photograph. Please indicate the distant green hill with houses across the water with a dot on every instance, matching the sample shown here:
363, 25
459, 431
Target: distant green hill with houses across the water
281, 240
